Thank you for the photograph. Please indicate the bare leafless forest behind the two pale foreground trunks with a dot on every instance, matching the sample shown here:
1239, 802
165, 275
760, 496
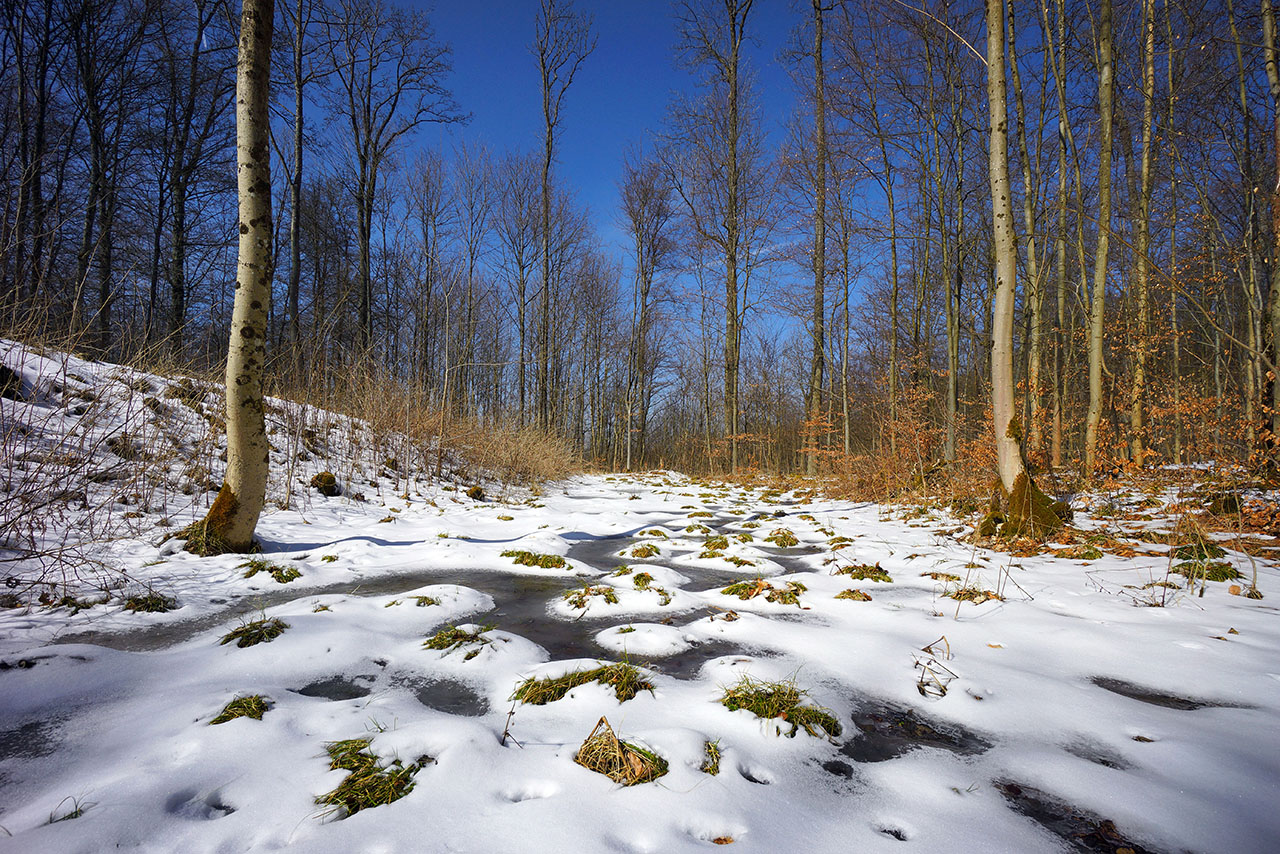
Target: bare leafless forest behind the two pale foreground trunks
797, 290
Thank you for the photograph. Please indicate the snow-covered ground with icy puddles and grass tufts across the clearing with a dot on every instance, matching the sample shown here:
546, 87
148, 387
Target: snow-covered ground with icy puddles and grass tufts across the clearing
1068, 716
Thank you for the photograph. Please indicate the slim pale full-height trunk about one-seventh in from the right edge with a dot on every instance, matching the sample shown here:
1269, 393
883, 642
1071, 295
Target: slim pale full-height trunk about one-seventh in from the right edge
1099, 299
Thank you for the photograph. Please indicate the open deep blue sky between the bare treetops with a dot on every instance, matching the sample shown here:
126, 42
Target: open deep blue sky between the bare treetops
619, 98
